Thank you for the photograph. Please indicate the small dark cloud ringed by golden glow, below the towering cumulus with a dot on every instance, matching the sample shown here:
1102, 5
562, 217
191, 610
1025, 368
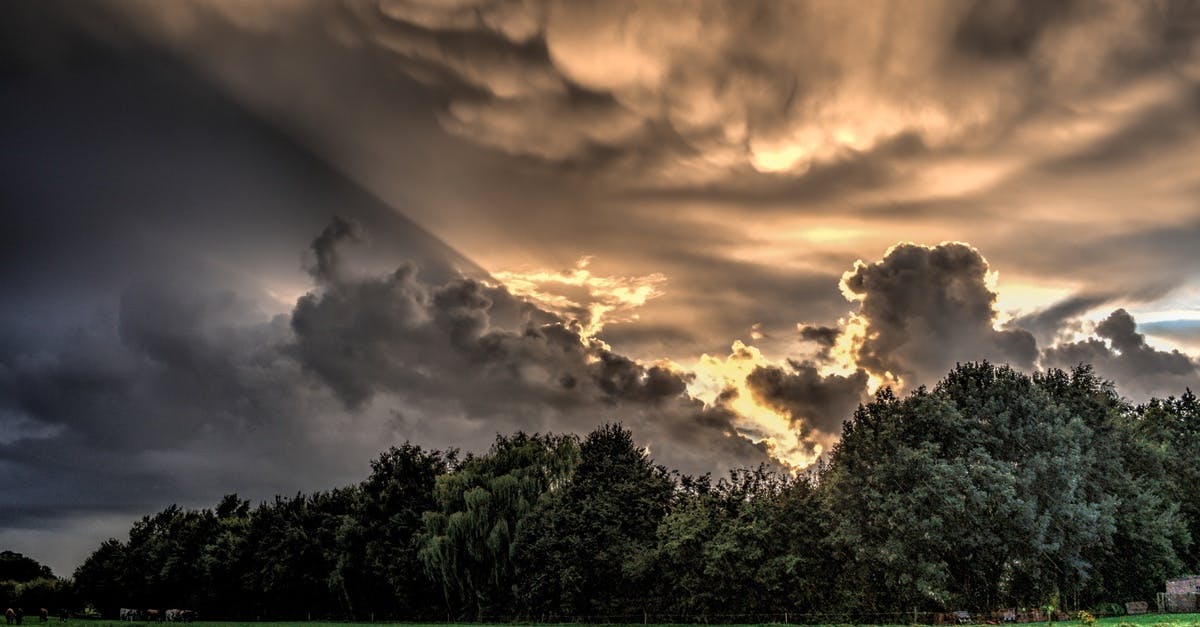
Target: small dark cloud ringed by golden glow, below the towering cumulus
811, 399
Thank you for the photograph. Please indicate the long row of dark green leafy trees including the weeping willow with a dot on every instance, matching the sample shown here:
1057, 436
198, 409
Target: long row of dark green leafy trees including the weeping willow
992, 489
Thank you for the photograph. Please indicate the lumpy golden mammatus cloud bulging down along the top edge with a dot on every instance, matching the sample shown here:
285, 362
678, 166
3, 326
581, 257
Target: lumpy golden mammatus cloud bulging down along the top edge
681, 93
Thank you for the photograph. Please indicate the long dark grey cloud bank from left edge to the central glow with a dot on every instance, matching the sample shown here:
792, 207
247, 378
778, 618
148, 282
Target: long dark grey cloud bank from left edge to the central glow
182, 395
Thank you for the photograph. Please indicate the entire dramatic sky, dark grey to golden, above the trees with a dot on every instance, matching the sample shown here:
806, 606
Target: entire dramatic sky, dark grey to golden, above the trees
250, 244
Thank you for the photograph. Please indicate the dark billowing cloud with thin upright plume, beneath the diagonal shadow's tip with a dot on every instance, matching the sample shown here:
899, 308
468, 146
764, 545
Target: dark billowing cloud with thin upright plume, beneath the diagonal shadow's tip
439, 347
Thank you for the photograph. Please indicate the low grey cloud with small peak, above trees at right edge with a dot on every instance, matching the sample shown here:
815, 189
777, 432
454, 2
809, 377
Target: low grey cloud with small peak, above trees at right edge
1121, 355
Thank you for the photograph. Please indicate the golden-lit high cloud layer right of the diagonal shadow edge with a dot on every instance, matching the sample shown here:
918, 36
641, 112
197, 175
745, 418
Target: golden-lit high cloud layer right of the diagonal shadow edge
892, 122
